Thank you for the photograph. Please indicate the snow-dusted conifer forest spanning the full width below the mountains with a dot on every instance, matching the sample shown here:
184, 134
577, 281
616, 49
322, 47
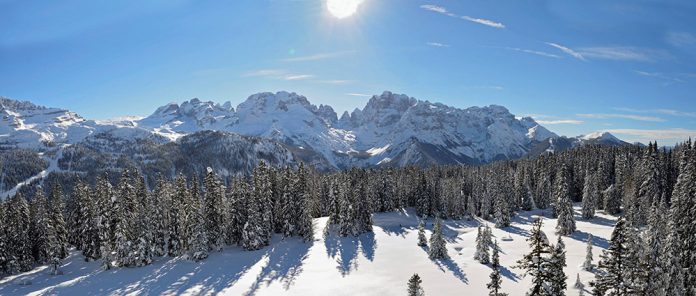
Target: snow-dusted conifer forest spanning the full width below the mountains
129, 224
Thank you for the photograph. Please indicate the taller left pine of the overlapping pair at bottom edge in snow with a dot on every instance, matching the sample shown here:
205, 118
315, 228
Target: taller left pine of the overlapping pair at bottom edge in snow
535, 263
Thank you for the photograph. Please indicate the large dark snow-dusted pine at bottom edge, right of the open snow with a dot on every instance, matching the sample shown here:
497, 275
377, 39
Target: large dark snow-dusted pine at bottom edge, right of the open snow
612, 264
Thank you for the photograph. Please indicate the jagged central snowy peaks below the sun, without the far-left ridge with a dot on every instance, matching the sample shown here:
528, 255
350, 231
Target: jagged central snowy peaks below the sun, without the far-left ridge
390, 127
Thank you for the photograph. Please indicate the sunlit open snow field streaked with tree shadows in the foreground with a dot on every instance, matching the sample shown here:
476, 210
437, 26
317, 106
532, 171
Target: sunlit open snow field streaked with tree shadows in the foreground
378, 263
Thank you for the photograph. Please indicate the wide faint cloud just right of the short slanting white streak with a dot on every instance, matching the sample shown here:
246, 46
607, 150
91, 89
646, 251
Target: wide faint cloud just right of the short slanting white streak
622, 53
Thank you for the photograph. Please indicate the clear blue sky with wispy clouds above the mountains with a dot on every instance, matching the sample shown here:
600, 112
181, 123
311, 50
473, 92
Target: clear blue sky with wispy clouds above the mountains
628, 67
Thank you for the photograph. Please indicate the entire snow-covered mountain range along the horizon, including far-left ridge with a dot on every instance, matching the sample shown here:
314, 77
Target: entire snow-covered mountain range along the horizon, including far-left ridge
391, 130
